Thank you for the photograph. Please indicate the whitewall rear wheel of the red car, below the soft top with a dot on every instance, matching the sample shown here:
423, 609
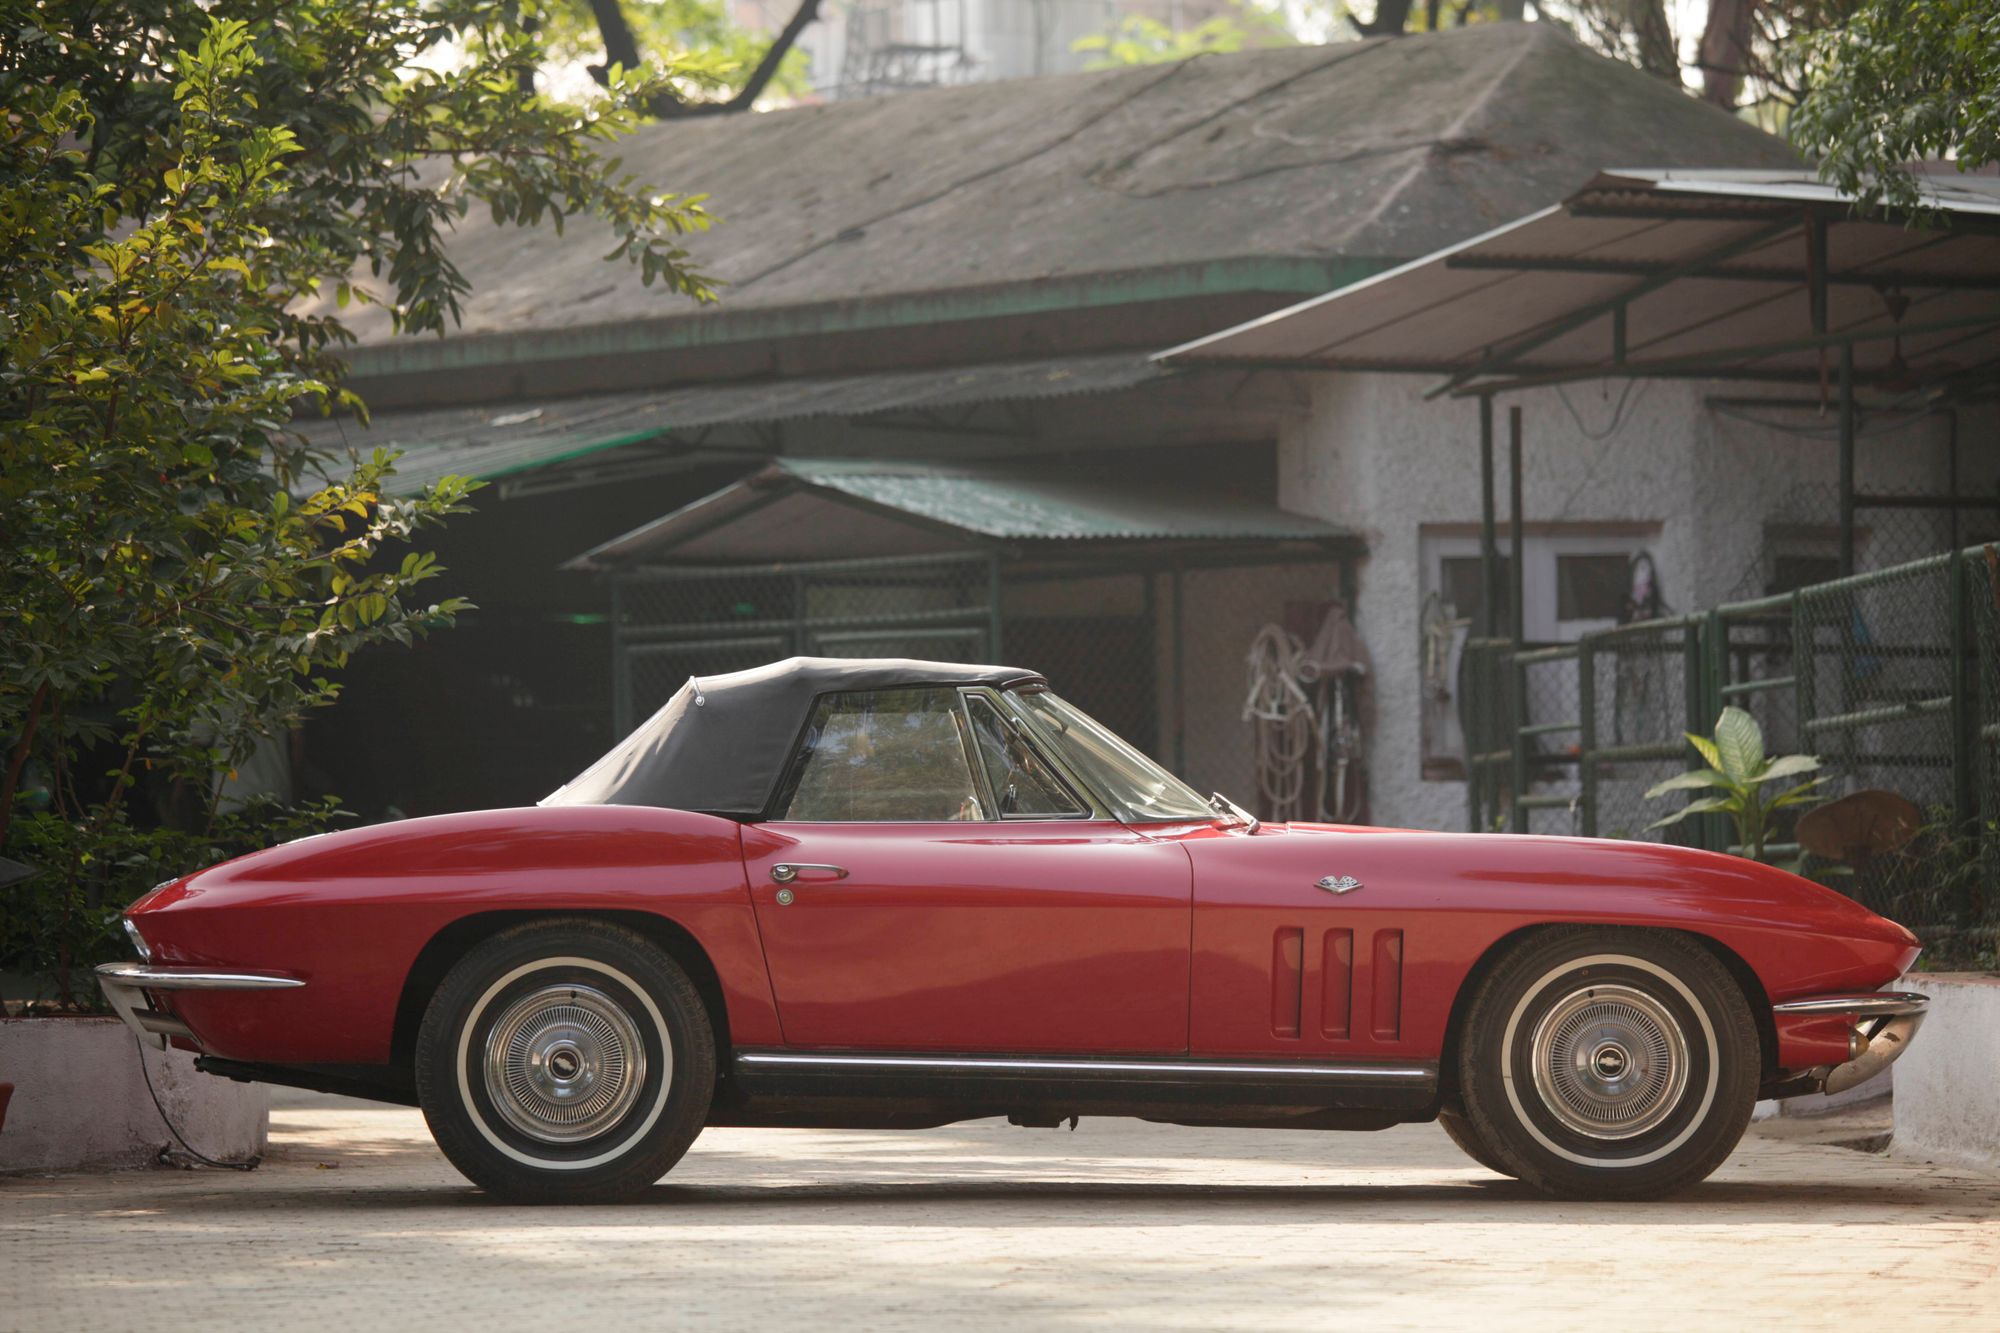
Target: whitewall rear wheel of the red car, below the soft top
565, 1062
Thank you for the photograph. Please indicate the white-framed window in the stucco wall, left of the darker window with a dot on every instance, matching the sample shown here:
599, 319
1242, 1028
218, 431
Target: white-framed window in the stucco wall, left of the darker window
1575, 579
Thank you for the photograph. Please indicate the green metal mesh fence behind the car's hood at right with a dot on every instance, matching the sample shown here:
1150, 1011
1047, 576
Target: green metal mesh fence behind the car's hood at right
1891, 678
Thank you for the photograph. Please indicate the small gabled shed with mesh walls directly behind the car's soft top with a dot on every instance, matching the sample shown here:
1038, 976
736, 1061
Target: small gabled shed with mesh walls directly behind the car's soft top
1085, 577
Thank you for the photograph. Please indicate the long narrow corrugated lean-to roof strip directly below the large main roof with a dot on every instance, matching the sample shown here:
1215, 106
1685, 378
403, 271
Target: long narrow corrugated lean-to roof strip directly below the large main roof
507, 439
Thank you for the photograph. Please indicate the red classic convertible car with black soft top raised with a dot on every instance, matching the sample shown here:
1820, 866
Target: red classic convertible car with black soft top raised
893, 896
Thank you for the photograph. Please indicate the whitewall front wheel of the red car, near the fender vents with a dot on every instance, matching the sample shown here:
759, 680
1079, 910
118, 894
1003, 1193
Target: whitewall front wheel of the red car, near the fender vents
1609, 1064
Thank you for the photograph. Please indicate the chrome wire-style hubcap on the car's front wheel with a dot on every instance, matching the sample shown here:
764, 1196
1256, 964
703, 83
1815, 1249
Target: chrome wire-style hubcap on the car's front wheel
1609, 1062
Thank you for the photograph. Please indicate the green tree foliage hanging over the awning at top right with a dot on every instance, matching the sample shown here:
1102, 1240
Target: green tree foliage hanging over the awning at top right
1901, 83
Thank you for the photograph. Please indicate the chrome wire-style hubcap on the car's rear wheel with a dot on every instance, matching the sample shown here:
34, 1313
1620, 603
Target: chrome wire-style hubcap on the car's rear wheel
565, 1064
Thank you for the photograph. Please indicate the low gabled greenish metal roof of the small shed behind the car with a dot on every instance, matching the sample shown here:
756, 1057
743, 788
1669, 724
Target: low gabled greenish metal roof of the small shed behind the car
817, 509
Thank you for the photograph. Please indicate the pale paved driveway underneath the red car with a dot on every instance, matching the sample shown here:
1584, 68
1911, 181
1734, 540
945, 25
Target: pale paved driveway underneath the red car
357, 1222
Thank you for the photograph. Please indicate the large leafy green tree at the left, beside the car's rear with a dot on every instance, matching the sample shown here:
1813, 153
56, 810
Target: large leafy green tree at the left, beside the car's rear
179, 575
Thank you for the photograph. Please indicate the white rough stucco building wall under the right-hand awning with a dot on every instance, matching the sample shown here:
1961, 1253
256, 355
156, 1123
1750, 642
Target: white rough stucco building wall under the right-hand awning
1381, 459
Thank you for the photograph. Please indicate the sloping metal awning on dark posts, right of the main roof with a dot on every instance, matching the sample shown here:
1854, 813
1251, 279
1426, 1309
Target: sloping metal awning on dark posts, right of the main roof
1669, 275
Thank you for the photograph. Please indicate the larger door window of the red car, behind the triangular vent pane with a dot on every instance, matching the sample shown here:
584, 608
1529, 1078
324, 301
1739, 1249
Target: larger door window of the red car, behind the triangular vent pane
885, 756
